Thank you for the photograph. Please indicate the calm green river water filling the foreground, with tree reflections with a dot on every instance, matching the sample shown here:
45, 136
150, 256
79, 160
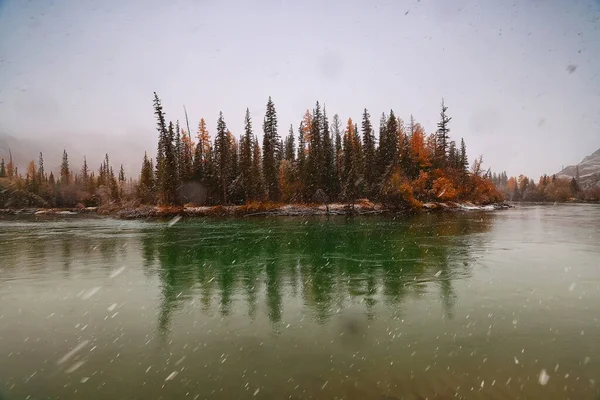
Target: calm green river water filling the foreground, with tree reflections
465, 305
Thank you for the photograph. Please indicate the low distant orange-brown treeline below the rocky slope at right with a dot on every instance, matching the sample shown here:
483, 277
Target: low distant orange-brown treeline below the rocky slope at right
547, 189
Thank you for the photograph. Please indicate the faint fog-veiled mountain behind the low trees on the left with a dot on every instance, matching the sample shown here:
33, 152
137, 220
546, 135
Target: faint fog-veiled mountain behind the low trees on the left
120, 151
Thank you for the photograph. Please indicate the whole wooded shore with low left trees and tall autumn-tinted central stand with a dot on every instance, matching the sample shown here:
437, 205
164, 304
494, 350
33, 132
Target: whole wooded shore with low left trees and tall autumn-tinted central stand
316, 163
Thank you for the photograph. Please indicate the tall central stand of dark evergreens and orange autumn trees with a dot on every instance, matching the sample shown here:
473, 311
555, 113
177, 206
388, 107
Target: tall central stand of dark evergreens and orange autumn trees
318, 162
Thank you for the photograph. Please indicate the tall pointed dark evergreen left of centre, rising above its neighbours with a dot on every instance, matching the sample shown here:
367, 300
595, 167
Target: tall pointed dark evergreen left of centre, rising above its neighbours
269, 152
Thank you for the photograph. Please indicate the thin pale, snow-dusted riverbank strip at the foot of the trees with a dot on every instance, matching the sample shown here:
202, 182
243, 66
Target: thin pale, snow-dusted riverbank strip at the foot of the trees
249, 210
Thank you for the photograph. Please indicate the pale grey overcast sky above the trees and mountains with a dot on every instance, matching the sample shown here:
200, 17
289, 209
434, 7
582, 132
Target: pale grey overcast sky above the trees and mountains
522, 81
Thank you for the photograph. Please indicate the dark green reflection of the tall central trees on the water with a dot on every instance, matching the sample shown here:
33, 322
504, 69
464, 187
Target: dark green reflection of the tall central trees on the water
328, 265
